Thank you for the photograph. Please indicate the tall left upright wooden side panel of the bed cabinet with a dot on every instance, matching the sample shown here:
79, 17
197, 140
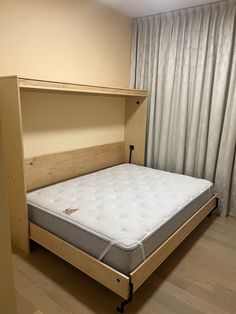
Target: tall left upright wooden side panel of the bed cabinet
11, 128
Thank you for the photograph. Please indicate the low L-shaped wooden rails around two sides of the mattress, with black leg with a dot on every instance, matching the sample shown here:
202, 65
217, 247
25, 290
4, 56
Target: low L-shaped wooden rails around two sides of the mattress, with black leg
119, 283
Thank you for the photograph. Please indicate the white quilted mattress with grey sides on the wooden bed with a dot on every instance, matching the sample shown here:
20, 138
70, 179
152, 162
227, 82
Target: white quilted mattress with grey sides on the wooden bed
119, 215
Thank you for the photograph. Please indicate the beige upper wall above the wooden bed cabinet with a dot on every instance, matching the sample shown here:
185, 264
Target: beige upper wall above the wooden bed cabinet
66, 40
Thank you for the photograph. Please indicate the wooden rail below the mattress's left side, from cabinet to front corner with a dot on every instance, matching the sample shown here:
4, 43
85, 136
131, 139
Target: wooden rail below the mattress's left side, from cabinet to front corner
109, 277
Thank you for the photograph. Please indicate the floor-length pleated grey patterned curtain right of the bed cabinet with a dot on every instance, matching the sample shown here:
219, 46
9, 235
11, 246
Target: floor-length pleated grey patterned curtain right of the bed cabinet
187, 61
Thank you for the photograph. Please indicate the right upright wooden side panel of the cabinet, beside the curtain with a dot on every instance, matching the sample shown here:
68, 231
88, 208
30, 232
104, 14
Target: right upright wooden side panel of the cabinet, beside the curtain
135, 128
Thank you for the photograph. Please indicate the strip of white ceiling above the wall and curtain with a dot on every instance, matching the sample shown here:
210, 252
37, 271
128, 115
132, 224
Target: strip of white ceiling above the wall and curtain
135, 8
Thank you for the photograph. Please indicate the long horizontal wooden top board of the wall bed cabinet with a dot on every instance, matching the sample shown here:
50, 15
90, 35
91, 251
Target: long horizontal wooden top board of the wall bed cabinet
32, 84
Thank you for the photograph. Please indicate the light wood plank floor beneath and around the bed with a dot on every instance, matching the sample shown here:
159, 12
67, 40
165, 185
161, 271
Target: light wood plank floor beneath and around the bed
199, 277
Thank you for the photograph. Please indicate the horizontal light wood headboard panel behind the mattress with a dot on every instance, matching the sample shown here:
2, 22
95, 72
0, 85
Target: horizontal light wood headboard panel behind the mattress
48, 169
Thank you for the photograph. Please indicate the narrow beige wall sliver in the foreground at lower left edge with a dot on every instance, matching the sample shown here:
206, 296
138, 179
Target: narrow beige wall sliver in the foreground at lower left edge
7, 293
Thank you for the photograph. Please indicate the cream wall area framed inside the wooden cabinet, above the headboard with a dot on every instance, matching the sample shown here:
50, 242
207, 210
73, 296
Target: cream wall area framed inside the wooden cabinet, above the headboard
54, 122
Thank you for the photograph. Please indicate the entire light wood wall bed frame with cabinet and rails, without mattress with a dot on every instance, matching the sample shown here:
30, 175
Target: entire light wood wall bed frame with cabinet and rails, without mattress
24, 175
